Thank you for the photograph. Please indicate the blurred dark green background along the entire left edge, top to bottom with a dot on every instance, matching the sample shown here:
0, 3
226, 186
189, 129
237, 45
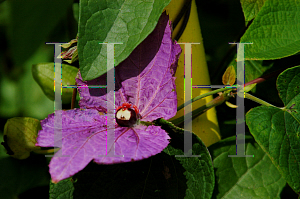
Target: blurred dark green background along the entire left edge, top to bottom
25, 27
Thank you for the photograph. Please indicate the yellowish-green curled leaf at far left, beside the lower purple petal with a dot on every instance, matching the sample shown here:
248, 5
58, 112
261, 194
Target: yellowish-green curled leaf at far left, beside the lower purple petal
20, 136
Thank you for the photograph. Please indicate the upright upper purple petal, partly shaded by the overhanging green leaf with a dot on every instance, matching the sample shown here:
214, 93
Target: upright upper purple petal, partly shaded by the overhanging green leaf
144, 79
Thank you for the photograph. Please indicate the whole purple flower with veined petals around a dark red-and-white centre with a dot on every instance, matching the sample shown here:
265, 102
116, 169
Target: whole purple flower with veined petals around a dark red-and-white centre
145, 79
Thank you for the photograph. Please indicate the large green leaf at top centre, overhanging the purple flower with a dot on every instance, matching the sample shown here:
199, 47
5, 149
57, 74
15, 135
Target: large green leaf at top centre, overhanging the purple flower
127, 22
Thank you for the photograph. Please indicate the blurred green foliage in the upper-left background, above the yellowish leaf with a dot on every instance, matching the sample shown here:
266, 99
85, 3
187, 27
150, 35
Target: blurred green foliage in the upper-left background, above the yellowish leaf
25, 27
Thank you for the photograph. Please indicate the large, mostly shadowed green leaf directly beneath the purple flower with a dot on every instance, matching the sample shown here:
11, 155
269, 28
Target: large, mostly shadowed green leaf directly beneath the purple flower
160, 176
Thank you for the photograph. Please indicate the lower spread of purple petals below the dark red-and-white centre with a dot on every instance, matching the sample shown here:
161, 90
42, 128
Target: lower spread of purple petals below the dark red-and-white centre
84, 138
